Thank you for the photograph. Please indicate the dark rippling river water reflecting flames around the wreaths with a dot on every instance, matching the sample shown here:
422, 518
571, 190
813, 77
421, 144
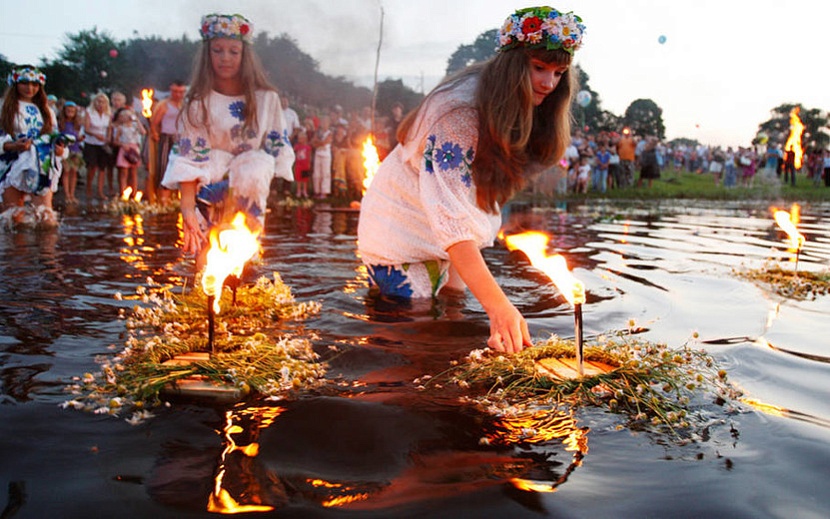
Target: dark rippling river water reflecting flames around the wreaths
379, 447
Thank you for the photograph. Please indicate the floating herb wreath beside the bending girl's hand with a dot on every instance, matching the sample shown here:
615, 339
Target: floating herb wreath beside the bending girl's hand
661, 389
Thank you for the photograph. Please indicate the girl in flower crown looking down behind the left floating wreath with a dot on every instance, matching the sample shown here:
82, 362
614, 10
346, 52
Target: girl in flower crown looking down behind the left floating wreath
232, 134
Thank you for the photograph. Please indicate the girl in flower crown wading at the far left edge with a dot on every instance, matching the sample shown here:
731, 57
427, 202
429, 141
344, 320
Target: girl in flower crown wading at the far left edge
32, 149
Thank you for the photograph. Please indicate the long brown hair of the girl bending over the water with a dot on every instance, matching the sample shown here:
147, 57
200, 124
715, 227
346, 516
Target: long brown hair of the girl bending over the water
515, 139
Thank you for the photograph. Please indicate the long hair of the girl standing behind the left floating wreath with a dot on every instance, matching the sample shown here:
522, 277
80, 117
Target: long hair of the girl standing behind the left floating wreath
202, 83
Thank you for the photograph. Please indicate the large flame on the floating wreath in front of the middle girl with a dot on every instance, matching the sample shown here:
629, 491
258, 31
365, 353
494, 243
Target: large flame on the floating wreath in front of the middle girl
228, 252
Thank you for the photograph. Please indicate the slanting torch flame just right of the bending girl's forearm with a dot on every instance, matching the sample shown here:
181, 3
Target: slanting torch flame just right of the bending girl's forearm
534, 244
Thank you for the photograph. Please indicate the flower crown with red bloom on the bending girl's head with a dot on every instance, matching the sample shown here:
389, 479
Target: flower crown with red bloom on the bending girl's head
541, 28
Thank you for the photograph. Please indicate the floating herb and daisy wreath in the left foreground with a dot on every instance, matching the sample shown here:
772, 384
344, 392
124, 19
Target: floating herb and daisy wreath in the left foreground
253, 352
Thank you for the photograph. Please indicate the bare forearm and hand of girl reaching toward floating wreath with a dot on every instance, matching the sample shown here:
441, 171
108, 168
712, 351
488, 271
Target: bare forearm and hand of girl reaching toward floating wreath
508, 329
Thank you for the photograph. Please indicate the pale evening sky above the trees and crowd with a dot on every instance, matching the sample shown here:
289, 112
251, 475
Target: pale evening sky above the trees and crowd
724, 64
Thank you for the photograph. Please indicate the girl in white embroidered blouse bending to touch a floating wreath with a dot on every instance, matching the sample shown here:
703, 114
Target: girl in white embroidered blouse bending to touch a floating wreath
467, 149
